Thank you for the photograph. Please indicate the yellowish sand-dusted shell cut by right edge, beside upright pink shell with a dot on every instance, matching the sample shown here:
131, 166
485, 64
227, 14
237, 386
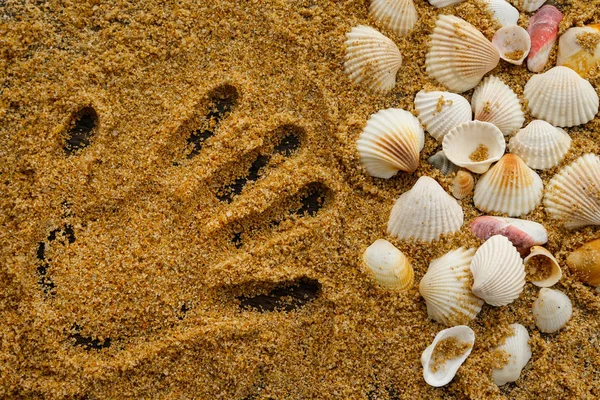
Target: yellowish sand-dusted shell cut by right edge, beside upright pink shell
579, 48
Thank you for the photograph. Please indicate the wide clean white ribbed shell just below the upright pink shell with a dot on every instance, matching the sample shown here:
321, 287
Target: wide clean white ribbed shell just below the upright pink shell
561, 97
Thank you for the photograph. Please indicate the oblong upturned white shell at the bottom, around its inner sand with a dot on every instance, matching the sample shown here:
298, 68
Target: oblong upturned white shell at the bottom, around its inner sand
440, 375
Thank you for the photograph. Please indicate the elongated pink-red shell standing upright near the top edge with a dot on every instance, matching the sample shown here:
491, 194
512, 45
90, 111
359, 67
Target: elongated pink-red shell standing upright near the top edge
543, 29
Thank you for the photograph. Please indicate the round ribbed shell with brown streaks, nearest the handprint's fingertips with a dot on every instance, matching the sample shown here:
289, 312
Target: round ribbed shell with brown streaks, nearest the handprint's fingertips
391, 142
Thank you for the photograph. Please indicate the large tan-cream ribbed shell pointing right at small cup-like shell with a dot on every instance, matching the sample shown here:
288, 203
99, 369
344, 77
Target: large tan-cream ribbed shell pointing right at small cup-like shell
459, 55
